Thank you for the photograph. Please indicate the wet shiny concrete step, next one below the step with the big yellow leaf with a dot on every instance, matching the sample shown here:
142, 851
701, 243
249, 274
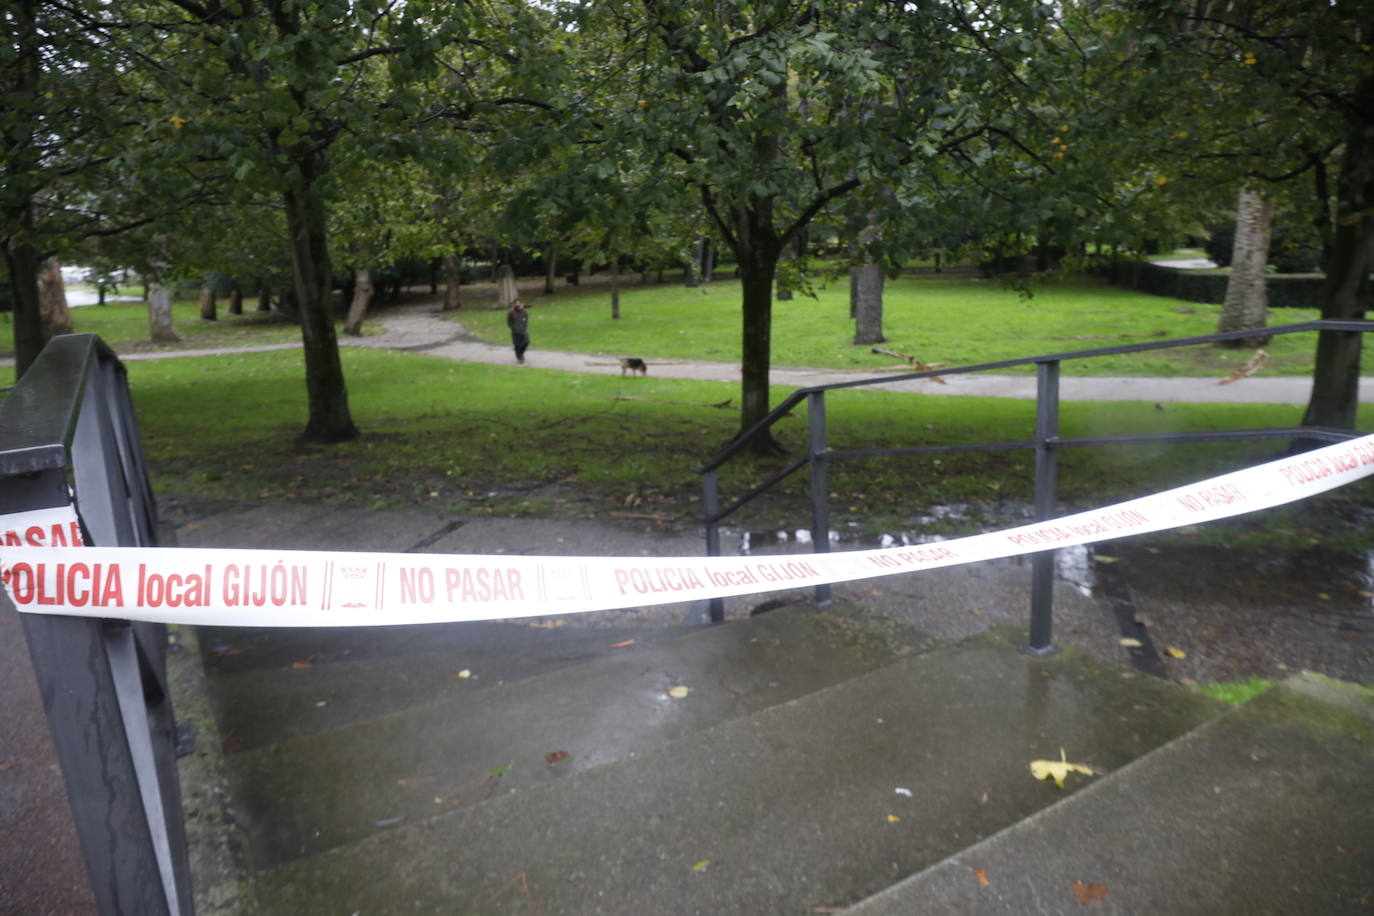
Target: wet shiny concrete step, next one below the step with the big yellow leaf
307, 796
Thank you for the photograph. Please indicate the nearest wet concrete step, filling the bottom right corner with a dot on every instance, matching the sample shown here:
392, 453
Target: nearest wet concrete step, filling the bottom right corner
1263, 811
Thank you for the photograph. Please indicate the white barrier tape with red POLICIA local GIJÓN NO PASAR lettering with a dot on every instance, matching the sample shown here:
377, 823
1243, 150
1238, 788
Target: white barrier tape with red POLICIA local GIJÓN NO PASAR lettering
324, 588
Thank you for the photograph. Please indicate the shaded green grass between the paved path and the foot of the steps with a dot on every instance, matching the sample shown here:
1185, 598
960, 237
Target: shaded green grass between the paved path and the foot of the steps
520, 442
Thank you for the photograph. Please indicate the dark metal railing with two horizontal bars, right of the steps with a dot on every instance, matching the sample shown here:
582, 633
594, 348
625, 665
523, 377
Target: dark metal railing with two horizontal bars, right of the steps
1046, 446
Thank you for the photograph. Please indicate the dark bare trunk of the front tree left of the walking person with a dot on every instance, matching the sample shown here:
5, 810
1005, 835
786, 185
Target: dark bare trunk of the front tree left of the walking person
326, 391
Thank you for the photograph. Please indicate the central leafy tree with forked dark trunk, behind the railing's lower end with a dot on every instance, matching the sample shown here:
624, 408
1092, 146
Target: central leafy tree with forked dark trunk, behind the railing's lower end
748, 105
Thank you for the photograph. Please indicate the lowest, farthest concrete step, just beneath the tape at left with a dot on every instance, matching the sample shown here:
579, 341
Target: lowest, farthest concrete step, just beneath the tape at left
270, 686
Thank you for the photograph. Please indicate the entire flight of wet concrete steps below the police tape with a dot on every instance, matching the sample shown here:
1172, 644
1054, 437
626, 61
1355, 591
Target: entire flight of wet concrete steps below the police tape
818, 762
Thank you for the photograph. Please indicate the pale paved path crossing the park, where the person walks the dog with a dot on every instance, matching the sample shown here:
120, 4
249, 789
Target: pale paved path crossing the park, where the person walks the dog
420, 328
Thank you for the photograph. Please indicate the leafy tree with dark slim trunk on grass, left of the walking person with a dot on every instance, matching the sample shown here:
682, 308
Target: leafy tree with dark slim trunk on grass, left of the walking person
278, 94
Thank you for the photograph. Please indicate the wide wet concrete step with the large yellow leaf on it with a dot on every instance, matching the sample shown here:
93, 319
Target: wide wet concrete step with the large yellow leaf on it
788, 811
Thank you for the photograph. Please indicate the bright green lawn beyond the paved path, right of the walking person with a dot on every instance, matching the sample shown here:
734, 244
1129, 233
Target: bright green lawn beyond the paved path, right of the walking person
956, 322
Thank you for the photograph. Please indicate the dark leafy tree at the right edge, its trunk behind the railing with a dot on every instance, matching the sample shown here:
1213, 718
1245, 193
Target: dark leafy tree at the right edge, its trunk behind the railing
1299, 82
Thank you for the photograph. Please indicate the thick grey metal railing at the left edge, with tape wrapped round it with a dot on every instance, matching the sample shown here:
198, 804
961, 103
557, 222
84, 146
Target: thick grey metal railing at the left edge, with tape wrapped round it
68, 437
